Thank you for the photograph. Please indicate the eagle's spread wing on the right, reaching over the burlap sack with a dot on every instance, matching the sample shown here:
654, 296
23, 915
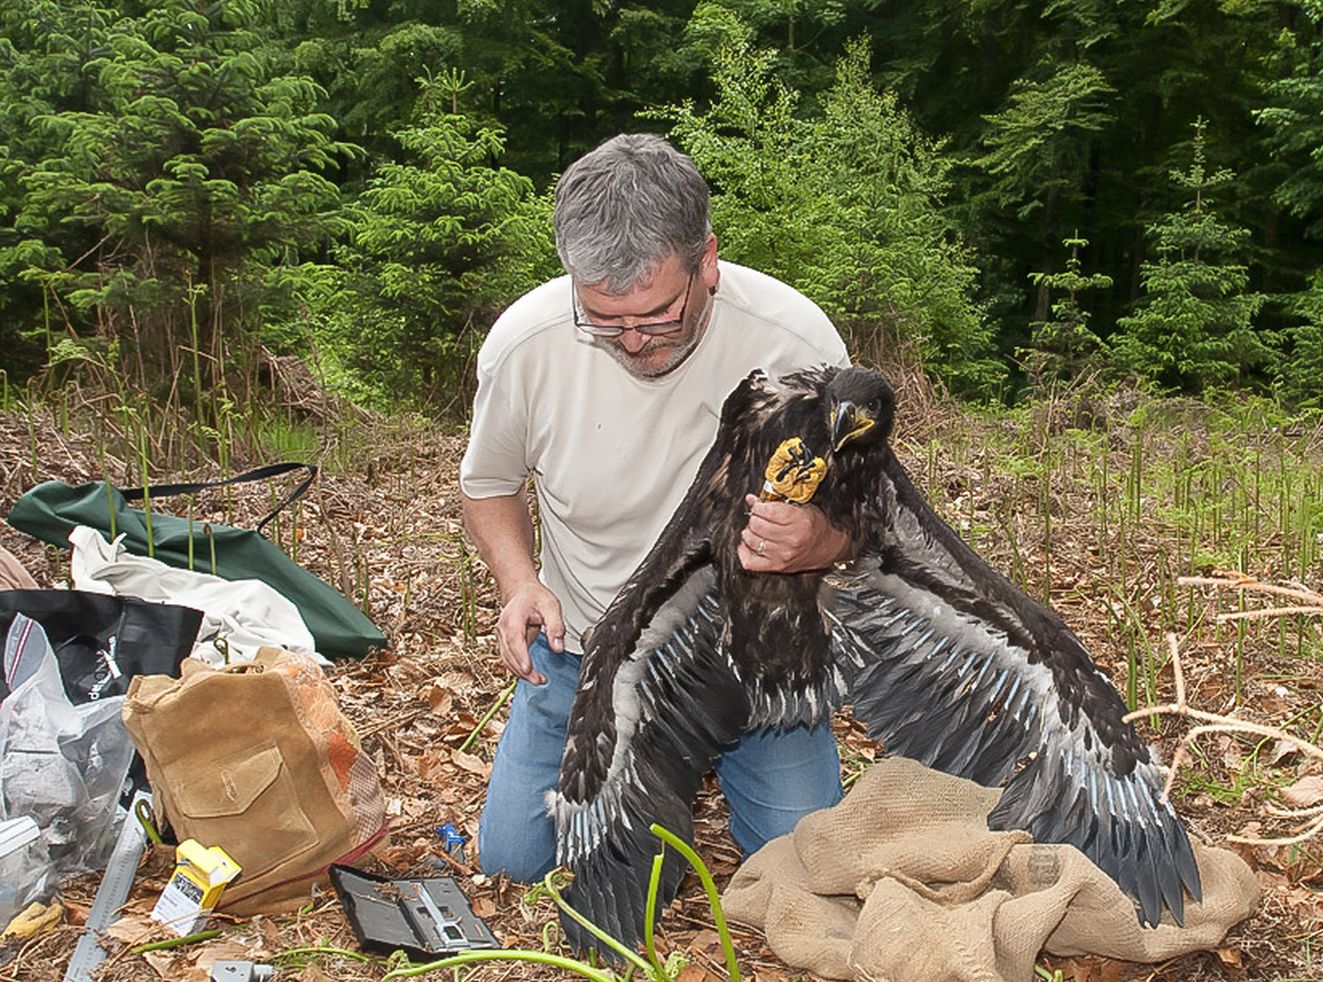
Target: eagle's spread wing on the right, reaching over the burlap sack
956, 668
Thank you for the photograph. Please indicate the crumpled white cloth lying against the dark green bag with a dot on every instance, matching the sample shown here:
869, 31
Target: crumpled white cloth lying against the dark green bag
239, 616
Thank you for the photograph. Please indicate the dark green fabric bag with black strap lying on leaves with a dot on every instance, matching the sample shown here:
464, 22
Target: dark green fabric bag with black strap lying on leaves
52, 510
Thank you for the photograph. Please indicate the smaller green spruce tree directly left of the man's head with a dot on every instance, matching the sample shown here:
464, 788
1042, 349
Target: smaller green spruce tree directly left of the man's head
439, 243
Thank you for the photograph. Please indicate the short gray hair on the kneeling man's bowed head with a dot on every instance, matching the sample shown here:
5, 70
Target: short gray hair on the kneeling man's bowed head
626, 207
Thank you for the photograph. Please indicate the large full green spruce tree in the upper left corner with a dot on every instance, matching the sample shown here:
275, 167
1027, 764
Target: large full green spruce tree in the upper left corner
169, 167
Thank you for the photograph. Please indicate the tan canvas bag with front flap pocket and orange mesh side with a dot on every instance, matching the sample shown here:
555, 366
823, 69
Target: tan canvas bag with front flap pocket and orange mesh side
259, 759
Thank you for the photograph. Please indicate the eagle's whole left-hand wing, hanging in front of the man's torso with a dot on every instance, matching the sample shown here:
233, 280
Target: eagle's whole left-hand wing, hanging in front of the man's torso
658, 702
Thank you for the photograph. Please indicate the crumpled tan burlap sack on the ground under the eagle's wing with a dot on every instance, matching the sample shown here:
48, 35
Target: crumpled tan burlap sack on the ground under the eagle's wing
903, 881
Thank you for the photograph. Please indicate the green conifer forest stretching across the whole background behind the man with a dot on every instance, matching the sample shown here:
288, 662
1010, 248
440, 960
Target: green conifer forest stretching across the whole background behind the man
1013, 194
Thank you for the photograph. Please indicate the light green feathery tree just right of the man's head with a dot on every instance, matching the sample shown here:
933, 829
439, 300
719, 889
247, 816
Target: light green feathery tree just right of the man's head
846, 203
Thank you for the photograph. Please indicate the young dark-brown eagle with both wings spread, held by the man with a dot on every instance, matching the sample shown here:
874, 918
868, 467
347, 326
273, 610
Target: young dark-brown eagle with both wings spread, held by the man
941, 657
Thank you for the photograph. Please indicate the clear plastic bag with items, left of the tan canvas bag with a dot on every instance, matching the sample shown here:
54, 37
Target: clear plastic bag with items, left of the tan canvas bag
60, 764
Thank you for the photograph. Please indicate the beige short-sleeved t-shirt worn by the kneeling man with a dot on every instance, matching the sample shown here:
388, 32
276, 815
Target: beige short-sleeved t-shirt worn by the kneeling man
612, 456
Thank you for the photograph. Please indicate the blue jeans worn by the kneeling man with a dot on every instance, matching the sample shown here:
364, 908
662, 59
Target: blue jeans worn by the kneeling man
771, 779
